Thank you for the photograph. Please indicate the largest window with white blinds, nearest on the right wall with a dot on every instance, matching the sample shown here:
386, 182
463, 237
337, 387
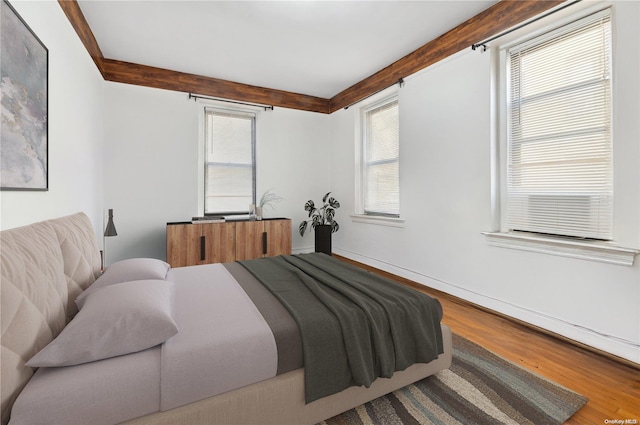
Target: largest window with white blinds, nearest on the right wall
559, 148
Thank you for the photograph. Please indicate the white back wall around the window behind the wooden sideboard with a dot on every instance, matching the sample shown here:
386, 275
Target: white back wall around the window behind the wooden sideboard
151, 165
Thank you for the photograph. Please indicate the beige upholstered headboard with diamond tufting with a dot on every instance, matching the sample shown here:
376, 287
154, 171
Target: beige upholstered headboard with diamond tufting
43, 268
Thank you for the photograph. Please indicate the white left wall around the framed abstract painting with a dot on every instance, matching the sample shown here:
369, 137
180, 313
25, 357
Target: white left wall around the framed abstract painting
75, 126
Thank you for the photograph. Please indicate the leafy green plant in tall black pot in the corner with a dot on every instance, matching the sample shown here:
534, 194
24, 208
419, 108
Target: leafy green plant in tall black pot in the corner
322, 222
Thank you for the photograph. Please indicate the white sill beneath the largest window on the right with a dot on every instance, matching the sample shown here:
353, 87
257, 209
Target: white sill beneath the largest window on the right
606, 252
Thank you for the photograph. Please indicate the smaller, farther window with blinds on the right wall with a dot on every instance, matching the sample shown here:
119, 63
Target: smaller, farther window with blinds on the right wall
381, 169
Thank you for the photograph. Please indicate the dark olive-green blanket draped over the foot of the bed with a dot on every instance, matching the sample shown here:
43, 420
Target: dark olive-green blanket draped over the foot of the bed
356, 326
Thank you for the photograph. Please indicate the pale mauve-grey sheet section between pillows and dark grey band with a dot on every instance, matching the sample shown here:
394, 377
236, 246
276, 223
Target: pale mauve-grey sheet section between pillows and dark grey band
224, 342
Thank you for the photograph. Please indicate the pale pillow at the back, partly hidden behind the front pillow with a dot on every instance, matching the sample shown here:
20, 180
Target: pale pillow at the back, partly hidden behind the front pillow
126, 271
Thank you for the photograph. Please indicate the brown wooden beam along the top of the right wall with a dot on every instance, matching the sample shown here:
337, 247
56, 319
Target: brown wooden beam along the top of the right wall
497, 18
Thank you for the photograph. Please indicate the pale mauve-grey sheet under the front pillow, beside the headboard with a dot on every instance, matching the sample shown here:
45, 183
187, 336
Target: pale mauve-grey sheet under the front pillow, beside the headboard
99, 393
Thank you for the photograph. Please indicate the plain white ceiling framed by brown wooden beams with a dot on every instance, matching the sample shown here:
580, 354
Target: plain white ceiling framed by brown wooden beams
316, 48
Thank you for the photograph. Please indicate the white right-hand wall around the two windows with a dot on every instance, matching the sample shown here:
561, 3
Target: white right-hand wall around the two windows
445, 199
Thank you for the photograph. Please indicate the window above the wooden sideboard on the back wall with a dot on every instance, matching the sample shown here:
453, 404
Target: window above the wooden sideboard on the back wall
229, 161
